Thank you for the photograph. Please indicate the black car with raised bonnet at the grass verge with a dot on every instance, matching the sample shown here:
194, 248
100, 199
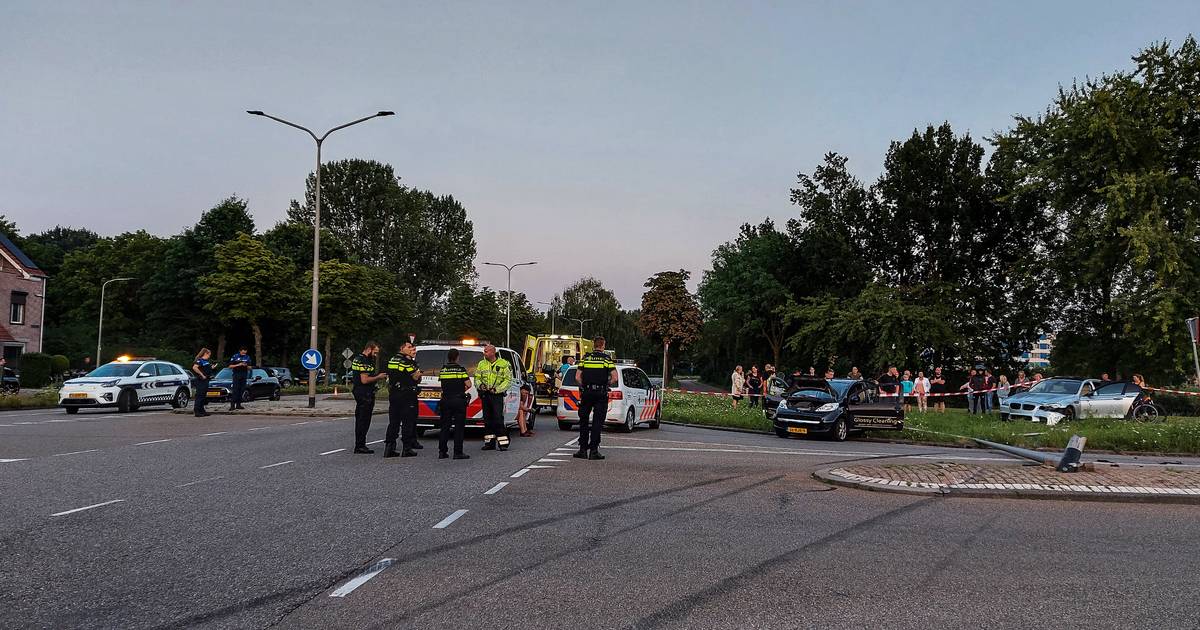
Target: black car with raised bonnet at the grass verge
836, 407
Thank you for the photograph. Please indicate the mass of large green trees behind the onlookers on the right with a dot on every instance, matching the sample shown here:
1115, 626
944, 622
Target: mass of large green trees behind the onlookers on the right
1081, 221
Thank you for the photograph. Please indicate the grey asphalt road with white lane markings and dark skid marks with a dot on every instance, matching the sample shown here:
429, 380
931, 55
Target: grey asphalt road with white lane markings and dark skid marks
253, 523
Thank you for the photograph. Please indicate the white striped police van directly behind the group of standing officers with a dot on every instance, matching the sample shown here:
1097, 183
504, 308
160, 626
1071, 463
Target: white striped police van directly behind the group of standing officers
433, 356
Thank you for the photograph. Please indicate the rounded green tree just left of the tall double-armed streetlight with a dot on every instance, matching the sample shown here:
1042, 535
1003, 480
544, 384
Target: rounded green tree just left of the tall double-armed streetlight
250, 284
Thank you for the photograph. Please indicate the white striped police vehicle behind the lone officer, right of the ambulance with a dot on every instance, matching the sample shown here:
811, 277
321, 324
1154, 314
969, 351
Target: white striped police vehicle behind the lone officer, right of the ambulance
634, 401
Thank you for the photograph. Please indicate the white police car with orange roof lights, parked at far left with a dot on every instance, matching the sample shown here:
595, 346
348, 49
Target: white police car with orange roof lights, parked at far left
128, 385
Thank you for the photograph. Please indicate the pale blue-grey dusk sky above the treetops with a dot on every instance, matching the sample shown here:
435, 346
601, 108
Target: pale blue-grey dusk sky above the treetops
645, 131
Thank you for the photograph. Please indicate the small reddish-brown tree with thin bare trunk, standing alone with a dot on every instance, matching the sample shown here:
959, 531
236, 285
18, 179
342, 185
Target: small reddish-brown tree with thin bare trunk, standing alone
670, 314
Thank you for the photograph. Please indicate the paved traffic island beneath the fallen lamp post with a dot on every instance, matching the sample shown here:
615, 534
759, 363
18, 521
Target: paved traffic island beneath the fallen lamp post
1126, 483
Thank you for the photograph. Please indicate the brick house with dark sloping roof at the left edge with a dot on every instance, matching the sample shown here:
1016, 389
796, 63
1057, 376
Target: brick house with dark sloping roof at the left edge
22, 303
